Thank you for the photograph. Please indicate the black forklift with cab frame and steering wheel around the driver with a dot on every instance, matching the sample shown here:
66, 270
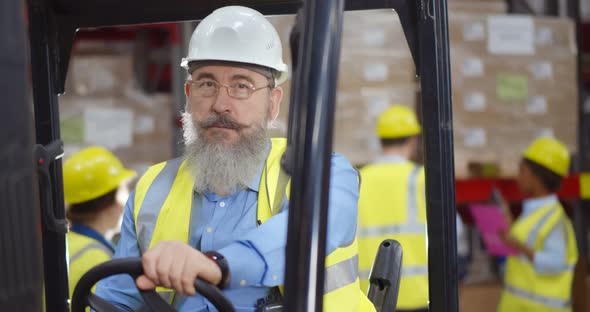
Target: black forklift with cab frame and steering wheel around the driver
33, 256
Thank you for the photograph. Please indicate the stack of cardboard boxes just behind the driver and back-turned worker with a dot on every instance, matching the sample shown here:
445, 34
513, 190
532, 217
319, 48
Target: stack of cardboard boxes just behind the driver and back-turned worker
376, 70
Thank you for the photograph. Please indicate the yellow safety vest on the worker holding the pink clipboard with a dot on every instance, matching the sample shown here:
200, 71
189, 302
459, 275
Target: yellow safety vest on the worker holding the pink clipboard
526, 290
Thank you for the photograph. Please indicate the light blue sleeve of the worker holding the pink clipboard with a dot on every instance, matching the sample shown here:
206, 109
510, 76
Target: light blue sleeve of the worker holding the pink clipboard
551, 259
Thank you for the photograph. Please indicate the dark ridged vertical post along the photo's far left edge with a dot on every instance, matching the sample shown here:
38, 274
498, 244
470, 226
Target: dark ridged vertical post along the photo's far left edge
20, 236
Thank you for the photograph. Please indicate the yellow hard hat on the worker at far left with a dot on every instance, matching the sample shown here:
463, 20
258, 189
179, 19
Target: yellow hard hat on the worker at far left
91, 173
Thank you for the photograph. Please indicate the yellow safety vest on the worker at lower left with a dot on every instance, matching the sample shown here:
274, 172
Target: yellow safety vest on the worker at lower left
84, 253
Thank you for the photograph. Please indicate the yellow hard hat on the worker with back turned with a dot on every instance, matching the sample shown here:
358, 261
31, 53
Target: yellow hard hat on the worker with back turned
397, 122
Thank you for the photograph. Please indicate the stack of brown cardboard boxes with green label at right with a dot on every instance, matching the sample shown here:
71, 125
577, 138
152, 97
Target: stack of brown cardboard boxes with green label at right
514, 79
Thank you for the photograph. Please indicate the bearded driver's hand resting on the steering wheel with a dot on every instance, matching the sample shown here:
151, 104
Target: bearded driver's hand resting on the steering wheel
176, 265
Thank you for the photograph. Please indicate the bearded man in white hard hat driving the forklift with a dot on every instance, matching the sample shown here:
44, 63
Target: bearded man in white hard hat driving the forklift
218, 212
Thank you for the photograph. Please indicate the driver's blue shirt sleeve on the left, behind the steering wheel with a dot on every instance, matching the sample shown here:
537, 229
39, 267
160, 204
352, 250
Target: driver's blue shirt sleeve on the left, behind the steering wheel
120, 290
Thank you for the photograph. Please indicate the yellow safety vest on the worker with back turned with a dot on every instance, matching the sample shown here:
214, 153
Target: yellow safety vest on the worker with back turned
392, 206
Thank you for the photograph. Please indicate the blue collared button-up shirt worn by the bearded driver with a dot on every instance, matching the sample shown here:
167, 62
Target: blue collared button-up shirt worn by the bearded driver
256, 254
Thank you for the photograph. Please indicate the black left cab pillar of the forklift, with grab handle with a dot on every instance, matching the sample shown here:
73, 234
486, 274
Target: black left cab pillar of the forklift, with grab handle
43, 73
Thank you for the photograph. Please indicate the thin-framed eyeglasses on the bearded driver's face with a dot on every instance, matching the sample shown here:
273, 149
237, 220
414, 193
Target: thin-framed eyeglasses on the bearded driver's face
208, 88
